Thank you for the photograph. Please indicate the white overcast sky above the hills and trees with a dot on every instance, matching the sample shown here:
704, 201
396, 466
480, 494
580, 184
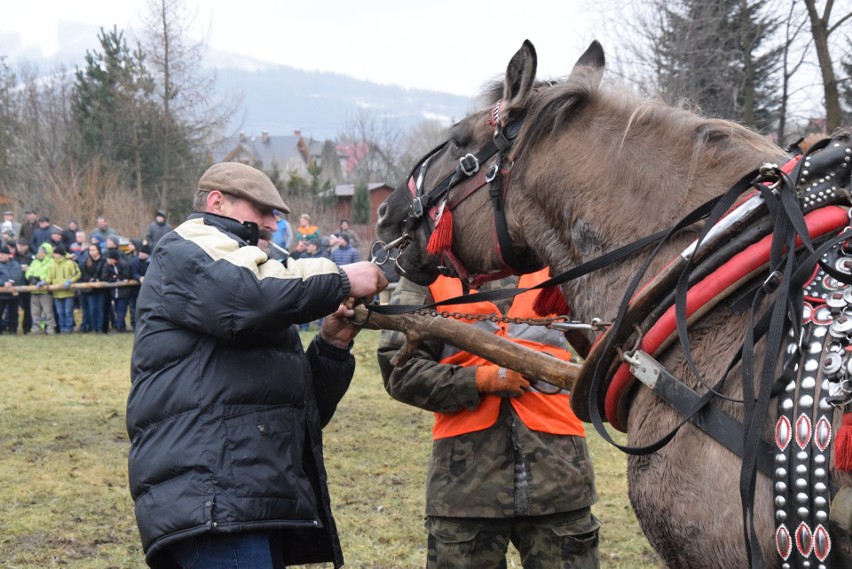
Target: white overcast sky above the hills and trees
445, 45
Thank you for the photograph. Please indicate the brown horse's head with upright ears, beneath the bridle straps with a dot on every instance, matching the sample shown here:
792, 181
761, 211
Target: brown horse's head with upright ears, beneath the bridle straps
474, 243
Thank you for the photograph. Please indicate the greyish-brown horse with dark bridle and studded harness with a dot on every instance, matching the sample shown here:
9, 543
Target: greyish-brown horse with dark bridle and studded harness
587, 168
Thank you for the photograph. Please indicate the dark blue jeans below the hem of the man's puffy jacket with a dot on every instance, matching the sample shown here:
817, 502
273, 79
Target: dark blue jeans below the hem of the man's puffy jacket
228, 551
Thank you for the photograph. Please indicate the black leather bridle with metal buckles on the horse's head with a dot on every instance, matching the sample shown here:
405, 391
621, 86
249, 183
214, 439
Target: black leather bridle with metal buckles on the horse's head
465, 180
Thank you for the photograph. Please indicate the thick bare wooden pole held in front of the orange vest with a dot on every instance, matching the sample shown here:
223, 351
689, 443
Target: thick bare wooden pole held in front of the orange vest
418, 328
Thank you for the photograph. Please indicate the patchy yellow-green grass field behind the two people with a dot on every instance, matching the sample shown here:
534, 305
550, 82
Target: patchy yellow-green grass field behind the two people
64, 500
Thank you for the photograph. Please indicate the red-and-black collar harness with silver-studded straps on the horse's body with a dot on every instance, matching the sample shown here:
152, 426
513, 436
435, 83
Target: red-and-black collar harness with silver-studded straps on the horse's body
816, 379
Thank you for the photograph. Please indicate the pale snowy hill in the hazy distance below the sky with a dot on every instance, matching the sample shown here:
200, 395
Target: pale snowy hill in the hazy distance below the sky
276, 98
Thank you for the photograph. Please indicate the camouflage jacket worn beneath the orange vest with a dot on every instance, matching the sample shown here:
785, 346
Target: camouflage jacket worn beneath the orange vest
505, 471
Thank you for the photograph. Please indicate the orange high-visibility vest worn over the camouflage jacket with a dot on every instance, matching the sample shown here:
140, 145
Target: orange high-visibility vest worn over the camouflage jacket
540, 412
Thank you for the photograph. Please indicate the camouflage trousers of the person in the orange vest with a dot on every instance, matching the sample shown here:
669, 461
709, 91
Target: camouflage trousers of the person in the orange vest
564, 540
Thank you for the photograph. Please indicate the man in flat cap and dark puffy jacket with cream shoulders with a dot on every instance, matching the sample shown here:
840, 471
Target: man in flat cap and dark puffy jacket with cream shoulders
226, 409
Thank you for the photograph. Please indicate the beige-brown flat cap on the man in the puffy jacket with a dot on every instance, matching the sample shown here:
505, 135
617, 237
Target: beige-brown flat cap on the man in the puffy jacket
242, 181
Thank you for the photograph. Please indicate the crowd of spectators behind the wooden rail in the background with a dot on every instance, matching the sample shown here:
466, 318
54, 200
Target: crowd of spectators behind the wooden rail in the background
38, 253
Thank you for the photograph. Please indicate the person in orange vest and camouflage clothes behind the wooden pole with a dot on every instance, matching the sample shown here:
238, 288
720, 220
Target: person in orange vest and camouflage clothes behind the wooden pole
508, 463
